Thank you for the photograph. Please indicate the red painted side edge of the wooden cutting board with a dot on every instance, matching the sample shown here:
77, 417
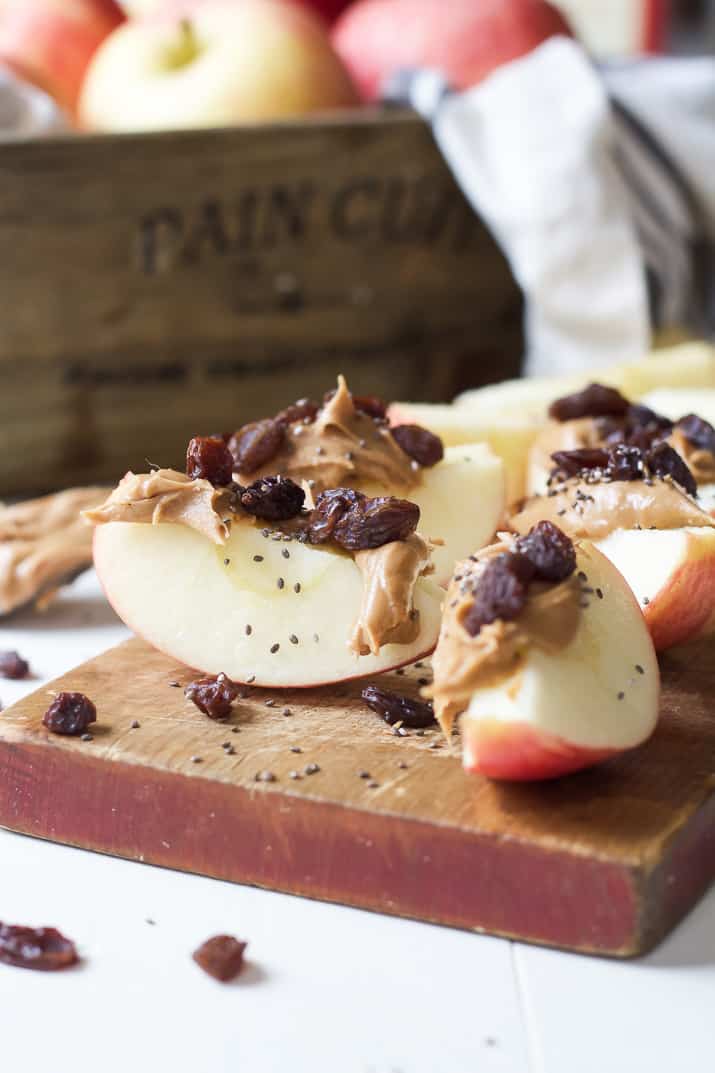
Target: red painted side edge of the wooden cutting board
410, 869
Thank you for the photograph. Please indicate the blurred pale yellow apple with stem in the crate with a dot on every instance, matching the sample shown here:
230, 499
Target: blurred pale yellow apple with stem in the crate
222, 64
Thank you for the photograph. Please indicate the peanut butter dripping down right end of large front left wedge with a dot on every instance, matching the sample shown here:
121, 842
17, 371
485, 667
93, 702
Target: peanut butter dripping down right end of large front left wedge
388, 615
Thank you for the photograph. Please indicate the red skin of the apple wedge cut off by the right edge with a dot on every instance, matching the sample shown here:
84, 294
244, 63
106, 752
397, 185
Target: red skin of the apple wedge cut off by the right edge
684, 609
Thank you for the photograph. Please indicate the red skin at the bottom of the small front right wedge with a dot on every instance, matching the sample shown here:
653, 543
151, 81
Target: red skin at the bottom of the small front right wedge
519, 753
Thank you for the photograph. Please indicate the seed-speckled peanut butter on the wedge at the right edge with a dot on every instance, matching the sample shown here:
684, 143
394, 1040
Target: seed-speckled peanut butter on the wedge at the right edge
586, 510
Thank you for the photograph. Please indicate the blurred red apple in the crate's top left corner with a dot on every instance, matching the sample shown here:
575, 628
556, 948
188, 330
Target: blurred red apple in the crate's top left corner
50, 43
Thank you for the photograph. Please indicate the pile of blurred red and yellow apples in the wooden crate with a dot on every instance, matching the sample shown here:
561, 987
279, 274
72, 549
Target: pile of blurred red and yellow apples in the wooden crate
158, 65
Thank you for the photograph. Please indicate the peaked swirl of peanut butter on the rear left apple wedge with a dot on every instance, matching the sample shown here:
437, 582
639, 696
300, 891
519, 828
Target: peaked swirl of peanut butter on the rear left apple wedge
343, 448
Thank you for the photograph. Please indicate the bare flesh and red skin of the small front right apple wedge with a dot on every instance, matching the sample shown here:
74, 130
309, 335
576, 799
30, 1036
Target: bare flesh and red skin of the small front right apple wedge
558, 714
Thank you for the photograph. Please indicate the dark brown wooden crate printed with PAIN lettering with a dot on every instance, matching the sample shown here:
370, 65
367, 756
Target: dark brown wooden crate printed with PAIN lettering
158, 286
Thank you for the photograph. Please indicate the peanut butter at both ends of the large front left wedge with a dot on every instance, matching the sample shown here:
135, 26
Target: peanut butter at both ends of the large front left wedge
390, 574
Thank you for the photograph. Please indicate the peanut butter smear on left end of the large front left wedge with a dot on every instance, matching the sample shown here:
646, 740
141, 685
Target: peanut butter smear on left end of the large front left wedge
168, 496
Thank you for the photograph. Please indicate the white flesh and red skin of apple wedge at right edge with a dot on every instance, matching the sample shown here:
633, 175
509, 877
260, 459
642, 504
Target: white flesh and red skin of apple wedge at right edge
673, 576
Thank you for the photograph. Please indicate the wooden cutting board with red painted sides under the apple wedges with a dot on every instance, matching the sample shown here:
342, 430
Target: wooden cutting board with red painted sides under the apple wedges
607, 861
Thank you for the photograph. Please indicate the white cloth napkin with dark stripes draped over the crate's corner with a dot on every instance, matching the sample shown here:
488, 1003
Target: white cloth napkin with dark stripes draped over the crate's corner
601, 230
